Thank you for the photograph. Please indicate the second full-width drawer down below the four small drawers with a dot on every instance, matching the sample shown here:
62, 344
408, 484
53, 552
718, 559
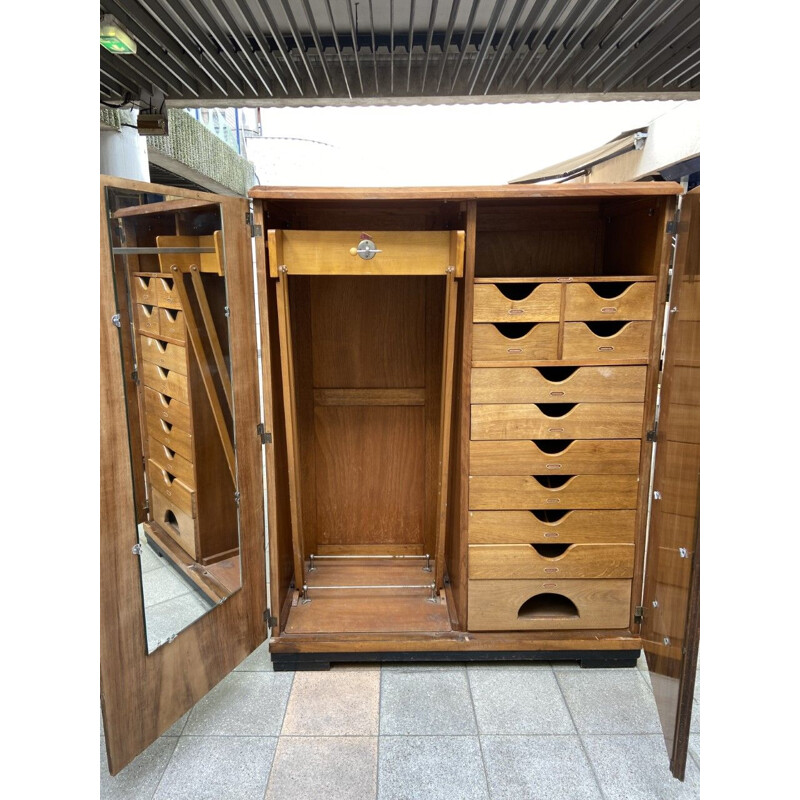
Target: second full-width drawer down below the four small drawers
557, 421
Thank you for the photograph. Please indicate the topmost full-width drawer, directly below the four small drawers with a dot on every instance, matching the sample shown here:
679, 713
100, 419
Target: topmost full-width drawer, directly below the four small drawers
558, 385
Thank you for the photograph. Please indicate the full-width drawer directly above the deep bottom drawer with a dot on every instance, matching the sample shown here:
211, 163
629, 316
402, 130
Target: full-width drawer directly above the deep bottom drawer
508, 561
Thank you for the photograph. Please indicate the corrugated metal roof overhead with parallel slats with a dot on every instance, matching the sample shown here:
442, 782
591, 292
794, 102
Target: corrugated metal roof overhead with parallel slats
311, 52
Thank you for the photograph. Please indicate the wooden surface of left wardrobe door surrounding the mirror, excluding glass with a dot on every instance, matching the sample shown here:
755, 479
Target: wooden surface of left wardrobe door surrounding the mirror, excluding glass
143, 695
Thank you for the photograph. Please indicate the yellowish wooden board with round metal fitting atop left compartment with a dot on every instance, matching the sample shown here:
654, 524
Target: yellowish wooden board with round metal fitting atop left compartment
333, 253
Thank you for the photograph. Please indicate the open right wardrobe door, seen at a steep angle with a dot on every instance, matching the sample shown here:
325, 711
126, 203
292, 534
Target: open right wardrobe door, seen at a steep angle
671, 621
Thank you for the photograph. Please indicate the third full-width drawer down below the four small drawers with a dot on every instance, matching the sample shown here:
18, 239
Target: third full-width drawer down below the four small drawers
555, 457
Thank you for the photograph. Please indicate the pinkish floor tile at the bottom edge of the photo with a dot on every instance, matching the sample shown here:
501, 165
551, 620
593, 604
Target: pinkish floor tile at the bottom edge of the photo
329, 767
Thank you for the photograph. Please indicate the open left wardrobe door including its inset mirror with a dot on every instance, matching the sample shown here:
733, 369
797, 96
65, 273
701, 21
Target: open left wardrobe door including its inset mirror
200, 246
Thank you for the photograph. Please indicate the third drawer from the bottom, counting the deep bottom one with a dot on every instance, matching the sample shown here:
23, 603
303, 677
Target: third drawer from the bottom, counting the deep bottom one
528, 527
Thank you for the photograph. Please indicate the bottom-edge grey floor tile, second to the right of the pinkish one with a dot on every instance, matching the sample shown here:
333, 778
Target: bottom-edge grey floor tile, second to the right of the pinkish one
538, 768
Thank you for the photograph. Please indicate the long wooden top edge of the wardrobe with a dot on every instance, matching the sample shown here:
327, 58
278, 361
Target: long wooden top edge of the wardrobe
461, 193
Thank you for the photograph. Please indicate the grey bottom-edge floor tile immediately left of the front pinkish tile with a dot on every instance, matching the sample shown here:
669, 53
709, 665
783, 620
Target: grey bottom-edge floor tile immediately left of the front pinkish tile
218, 768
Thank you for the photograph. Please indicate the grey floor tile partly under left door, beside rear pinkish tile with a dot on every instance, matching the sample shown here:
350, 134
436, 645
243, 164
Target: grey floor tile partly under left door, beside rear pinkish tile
242, 704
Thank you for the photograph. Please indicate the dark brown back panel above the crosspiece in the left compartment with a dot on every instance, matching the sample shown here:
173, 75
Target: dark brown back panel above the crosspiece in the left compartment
368, 333
